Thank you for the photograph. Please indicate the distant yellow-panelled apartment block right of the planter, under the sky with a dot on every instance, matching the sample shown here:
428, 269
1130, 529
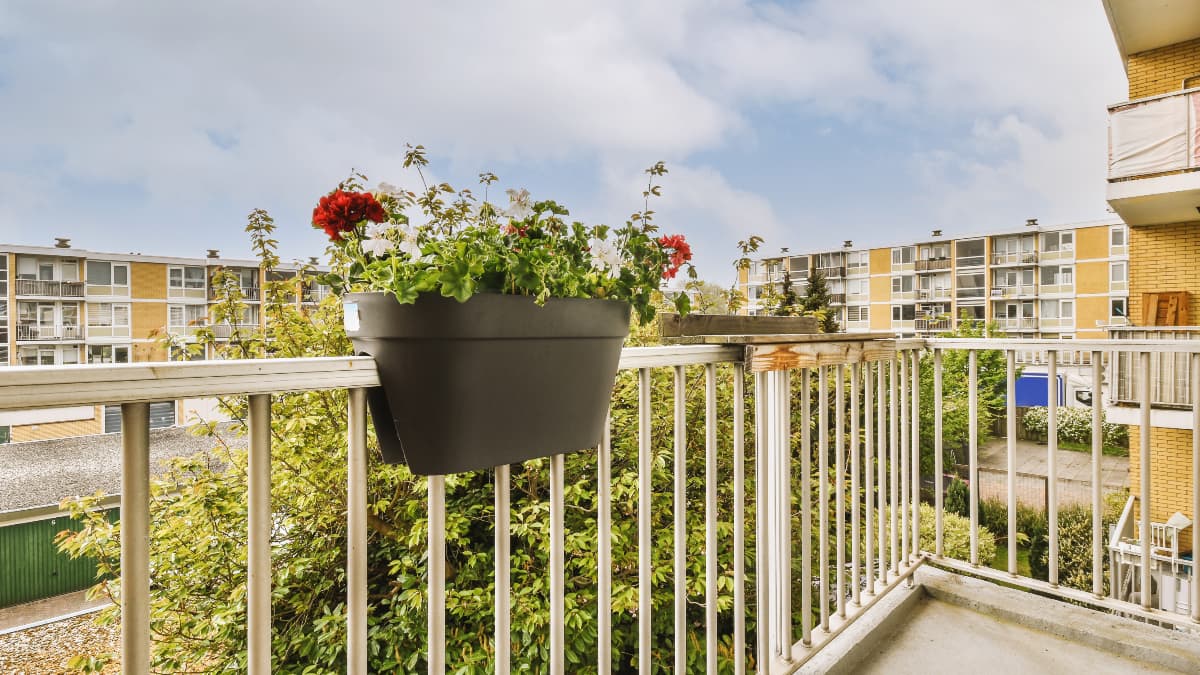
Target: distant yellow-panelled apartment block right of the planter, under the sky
1031, 282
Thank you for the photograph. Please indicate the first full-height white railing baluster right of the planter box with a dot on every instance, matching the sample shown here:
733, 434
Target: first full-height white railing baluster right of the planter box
645, 602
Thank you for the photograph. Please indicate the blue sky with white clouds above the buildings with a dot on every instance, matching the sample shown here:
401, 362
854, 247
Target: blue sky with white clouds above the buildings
157, 128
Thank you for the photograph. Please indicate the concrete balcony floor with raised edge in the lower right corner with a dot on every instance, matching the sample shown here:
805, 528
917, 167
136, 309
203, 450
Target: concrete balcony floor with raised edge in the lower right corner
953, 624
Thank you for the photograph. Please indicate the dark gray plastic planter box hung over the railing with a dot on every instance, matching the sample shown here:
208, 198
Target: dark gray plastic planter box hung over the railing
493, 381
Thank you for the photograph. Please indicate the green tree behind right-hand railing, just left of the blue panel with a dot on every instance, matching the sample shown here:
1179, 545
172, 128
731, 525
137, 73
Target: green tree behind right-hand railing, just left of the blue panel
993, 371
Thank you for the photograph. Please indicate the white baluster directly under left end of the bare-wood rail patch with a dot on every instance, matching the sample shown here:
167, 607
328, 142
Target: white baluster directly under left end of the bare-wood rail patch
763, 525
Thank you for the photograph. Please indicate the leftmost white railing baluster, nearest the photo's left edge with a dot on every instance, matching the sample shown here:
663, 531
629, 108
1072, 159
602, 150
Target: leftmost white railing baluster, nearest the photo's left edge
136, 537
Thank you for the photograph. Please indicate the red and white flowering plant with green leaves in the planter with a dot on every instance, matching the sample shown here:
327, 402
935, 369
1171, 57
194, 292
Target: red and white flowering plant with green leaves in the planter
465, 247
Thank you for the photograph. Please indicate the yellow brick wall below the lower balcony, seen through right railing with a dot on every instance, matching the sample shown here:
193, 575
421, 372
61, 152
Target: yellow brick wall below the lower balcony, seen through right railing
1171, 474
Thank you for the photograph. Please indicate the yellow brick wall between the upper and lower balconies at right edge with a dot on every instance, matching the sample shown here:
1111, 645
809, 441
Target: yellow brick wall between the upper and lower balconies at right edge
1163, 259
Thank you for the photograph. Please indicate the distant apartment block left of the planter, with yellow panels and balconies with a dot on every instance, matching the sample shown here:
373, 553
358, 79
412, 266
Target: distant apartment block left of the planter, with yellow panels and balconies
62, 306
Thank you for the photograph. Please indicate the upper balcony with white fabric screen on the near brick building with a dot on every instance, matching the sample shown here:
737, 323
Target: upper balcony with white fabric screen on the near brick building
1154, 157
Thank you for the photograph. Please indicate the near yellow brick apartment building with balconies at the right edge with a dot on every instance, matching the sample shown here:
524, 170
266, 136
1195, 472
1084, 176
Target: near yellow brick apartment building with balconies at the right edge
1154, 184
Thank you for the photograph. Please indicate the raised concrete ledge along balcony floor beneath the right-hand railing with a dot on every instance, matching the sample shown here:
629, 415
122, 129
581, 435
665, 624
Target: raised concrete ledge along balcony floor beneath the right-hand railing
1114, 635
